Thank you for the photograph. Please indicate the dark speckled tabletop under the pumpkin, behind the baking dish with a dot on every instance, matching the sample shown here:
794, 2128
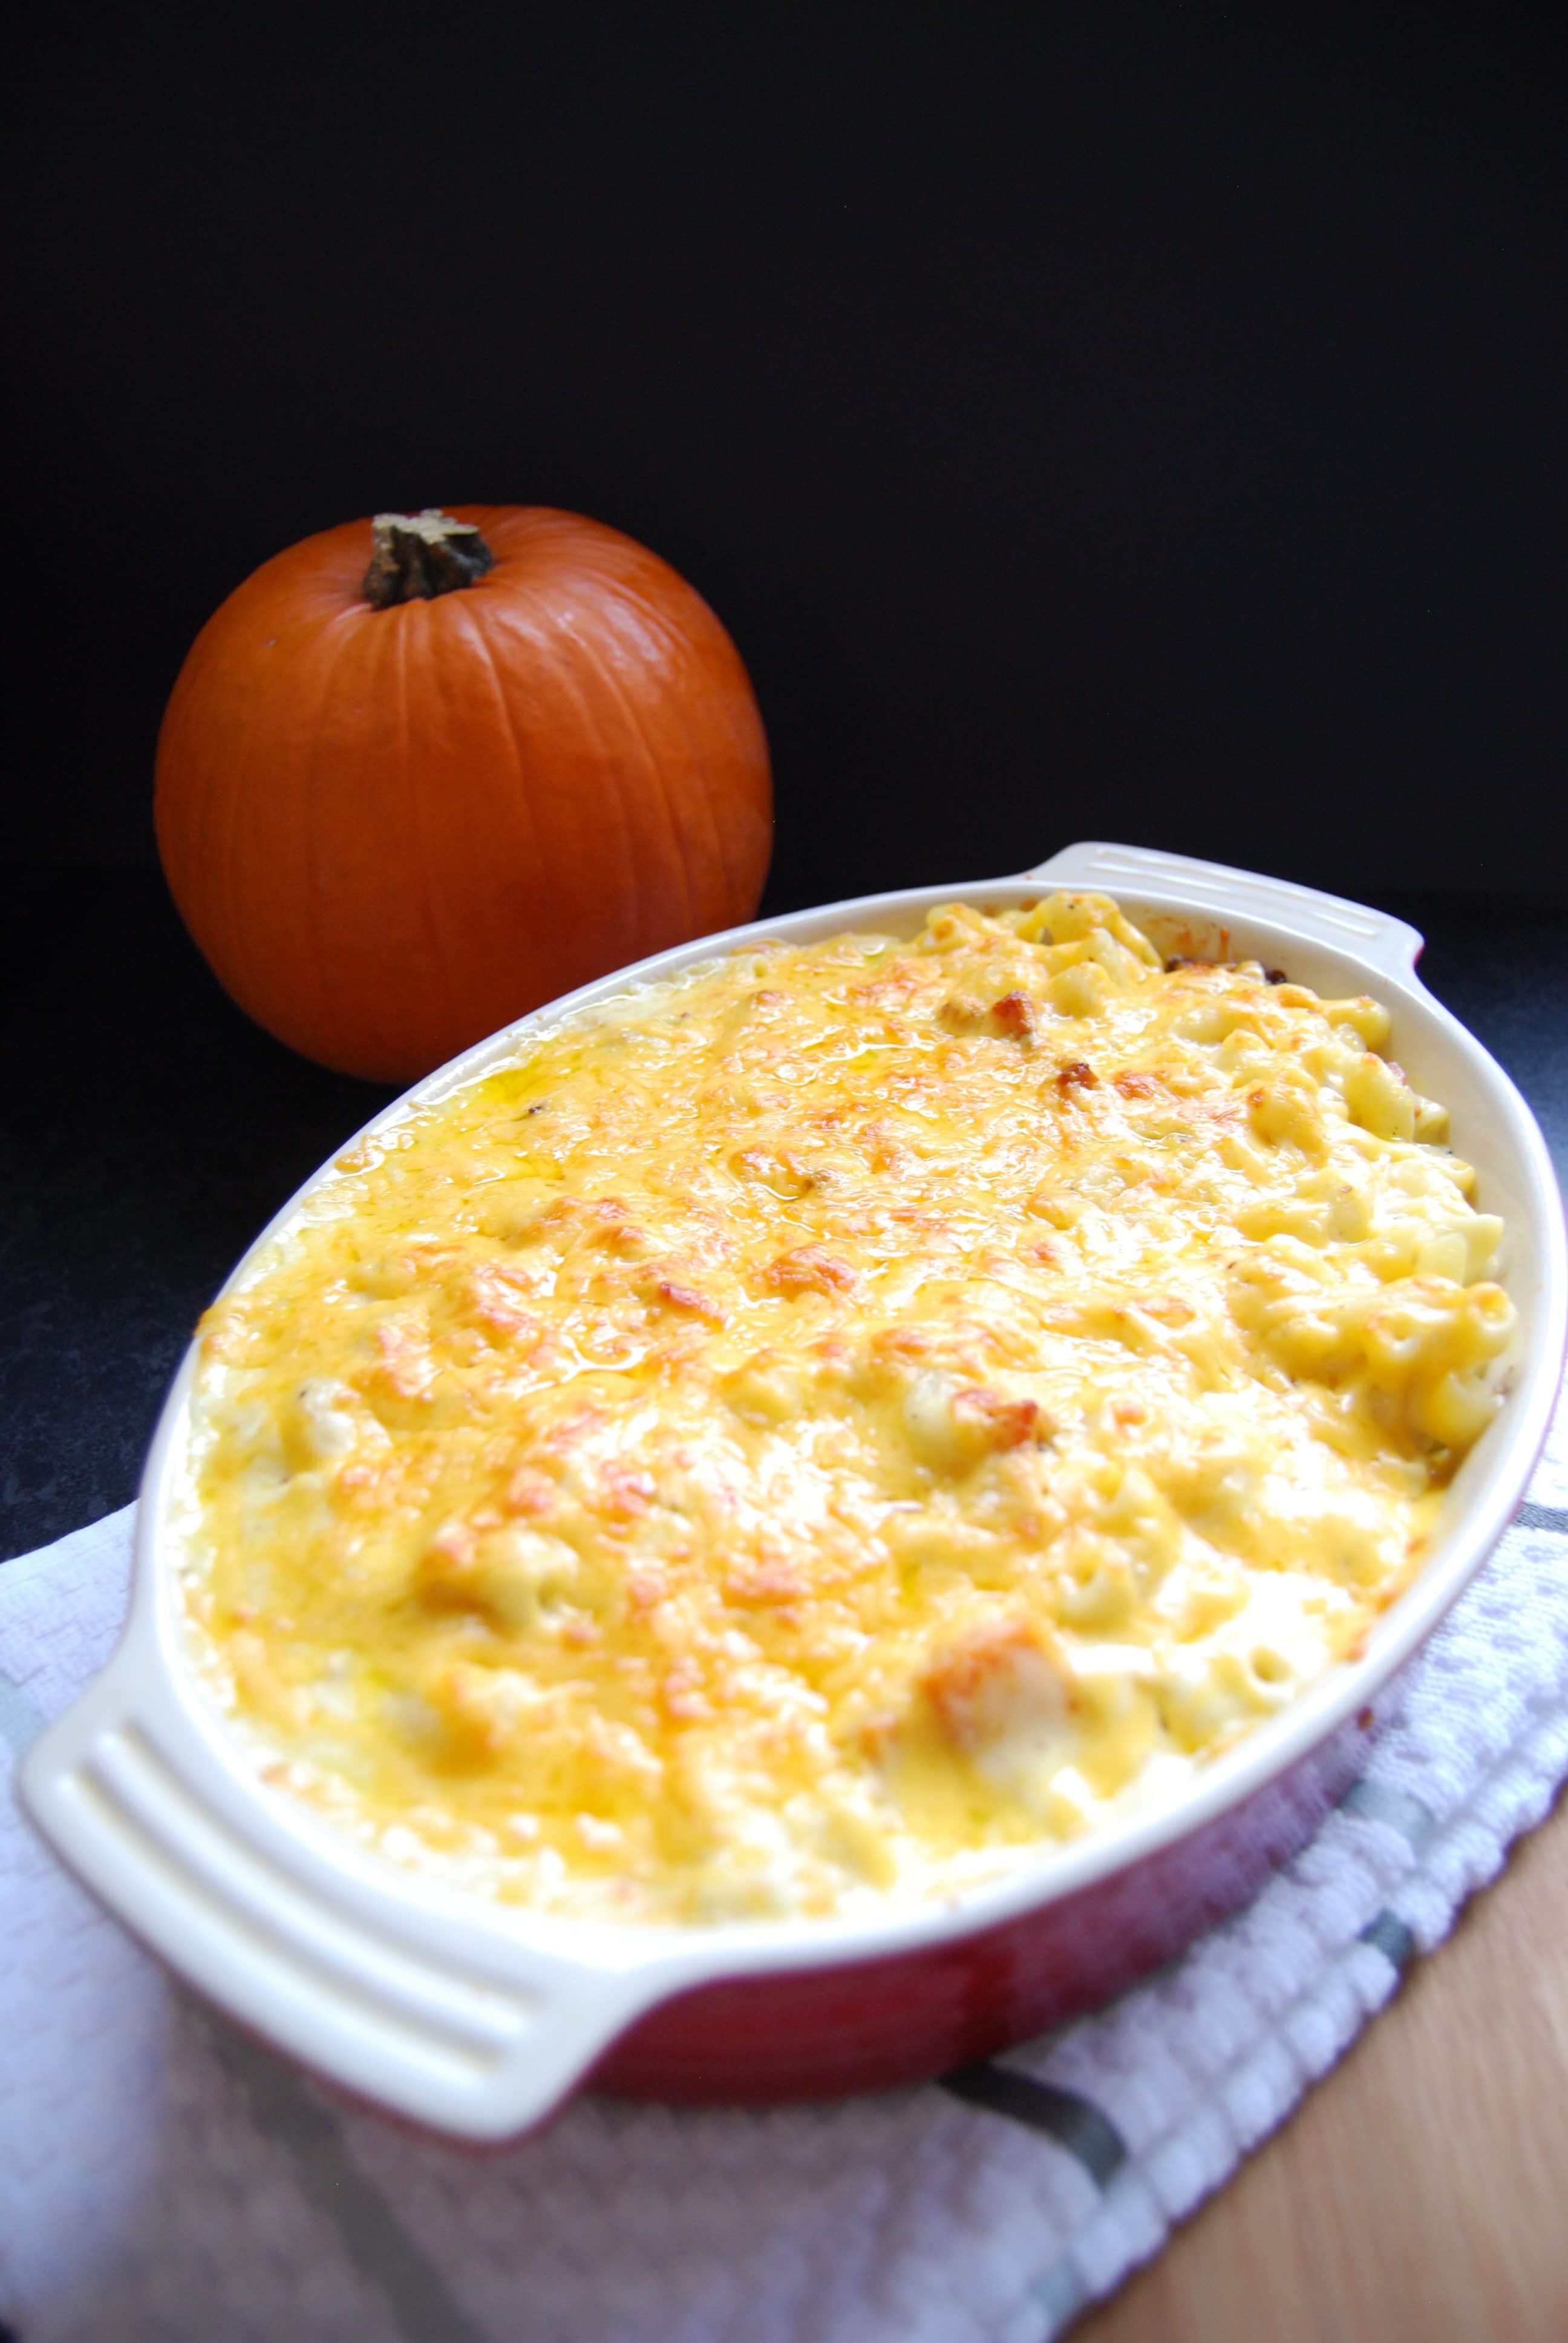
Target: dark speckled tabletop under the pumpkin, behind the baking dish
149, 1130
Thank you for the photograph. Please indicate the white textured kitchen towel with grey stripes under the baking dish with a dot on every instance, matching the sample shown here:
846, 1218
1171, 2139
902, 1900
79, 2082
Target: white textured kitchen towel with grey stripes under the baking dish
168, 2178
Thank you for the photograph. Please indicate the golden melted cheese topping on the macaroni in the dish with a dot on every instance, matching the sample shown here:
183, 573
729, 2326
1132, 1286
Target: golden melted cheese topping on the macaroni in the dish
824, 1426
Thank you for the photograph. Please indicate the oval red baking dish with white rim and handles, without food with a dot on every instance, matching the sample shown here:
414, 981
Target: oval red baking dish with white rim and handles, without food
479, 2018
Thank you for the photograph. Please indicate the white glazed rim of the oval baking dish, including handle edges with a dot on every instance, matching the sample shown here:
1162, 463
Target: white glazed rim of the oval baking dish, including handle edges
608, 1974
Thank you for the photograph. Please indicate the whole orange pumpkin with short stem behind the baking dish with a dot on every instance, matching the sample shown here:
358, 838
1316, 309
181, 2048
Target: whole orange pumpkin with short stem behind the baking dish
428, 772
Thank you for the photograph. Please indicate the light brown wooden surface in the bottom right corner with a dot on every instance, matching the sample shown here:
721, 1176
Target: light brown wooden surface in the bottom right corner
1422, 2190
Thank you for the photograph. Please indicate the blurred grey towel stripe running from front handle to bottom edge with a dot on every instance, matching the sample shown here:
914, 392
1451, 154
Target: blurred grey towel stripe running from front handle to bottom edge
371, 2234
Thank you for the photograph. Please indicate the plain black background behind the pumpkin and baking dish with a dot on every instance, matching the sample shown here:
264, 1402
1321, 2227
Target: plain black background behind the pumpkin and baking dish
1110, 421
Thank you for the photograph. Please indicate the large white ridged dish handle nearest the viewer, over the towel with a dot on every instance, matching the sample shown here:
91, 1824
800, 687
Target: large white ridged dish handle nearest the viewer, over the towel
468, 2030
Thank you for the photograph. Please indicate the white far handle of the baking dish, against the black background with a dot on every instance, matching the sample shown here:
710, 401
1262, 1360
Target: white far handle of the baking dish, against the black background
1213, 887
